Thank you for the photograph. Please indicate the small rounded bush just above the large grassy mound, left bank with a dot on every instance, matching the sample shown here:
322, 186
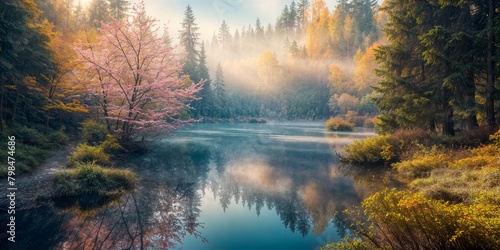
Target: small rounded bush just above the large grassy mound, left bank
86, 154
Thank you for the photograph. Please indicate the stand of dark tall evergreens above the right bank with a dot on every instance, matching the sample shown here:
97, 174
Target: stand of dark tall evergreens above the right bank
440, 66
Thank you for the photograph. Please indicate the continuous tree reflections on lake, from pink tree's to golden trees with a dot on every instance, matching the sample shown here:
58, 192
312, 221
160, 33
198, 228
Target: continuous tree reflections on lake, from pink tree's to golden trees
299, 182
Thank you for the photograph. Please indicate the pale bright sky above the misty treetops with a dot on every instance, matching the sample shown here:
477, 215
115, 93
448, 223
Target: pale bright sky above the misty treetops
210, 13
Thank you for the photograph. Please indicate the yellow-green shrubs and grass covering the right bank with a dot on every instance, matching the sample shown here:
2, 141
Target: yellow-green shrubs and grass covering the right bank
452, 194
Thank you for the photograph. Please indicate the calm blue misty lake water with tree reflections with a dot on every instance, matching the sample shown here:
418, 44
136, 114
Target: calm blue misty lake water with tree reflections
216, 186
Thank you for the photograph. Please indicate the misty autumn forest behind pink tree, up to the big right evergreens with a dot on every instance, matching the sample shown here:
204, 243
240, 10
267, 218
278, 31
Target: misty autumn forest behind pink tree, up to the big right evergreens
294, 73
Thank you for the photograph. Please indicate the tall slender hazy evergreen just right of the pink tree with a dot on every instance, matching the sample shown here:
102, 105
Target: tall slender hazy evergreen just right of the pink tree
188, 37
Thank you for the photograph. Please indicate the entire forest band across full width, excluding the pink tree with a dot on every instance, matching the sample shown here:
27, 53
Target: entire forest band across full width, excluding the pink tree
425, 64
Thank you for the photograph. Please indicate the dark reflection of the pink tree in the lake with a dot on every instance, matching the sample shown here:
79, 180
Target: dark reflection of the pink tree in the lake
158, 215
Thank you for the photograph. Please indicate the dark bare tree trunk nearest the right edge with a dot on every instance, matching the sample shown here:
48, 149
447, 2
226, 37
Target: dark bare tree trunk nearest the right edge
490, 84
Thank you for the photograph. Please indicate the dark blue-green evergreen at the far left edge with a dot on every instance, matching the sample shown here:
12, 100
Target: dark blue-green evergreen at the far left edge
24, 58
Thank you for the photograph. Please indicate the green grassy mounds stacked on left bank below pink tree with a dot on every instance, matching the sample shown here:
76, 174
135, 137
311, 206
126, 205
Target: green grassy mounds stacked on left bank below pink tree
90, 164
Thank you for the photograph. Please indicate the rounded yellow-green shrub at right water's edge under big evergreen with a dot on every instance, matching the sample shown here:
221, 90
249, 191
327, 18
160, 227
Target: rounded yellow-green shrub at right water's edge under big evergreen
371, 150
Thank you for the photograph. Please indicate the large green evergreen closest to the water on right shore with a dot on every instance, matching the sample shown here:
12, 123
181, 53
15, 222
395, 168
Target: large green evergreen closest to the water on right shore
407, 92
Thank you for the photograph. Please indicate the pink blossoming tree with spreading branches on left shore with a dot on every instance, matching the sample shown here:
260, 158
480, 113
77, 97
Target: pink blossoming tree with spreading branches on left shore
134, 75
